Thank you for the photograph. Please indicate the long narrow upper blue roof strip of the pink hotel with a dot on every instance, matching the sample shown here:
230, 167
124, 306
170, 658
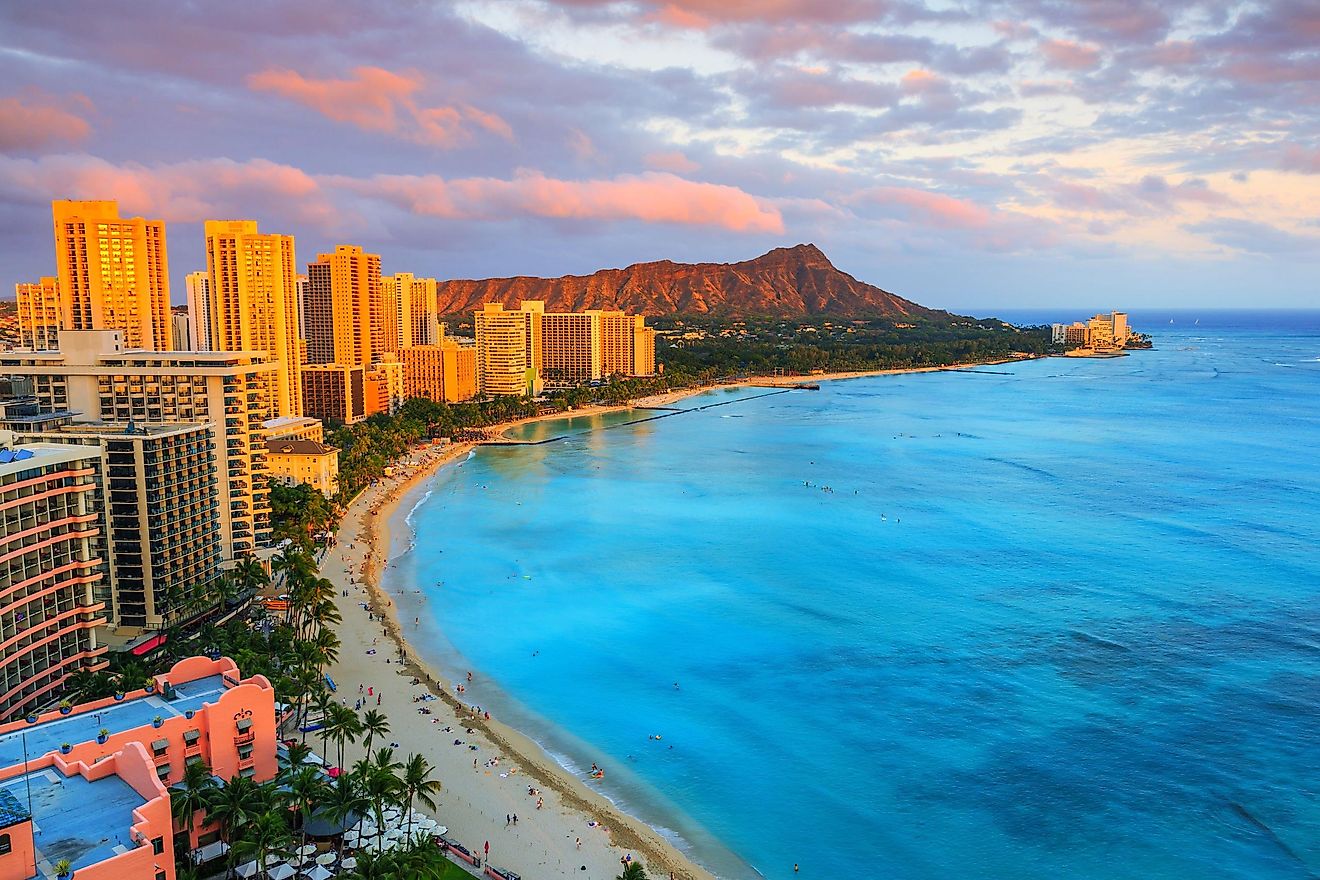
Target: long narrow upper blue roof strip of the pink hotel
82, 728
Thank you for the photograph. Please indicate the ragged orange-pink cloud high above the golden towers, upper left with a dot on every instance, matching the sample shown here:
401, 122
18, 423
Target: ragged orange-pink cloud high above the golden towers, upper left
381, 101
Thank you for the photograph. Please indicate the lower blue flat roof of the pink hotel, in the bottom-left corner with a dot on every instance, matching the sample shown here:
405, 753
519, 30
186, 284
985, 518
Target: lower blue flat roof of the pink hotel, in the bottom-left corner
75, 819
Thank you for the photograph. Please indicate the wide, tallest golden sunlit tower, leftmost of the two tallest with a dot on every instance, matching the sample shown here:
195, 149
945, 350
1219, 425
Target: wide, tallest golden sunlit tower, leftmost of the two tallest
114, 274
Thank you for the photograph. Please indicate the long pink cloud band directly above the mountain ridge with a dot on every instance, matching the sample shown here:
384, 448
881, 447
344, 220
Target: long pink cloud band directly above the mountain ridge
650, 199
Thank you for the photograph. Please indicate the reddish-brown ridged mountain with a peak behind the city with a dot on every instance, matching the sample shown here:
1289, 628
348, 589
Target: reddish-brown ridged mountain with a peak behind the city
783, 283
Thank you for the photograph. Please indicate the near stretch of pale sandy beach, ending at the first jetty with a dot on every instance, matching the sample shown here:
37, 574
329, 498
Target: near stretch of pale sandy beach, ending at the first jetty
476, 800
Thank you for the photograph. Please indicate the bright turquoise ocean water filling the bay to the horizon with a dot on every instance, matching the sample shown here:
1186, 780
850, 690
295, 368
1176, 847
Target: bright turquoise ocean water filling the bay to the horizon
1058, 623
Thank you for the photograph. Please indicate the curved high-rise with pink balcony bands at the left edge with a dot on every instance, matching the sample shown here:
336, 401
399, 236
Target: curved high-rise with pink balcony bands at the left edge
49, 569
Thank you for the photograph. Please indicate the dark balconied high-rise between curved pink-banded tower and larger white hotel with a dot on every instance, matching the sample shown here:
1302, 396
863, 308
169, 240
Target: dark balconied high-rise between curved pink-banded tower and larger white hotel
162, 520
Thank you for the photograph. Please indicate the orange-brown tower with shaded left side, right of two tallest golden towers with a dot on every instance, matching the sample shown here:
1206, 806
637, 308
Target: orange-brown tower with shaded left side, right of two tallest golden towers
344, 308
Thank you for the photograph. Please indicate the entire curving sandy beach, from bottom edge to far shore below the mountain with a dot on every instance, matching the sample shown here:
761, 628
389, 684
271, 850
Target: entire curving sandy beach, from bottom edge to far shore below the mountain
368, 530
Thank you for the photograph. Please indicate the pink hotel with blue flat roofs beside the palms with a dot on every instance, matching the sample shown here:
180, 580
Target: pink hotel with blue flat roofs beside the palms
101, 800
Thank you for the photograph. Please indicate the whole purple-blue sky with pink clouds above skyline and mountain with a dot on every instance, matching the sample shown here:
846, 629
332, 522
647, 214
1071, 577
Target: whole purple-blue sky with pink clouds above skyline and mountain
964, 154
